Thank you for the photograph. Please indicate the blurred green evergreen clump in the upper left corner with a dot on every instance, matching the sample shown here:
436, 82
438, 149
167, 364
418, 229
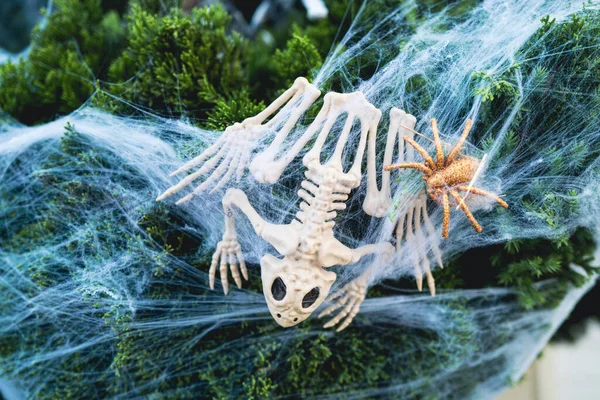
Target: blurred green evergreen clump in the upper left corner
67, 55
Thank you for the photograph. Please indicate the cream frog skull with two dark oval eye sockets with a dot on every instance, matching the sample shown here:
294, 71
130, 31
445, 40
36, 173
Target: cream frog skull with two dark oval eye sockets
293, 288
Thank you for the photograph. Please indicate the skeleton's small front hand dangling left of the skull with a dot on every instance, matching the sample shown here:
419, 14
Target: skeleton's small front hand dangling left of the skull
229, 253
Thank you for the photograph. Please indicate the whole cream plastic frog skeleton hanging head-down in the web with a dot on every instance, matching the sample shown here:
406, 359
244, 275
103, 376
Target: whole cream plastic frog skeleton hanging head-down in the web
296, 285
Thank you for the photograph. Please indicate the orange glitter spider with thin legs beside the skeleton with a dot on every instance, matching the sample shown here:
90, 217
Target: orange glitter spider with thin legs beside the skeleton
448, 175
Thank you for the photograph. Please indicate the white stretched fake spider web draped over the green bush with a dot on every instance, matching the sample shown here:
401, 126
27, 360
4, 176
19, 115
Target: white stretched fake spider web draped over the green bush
95, 305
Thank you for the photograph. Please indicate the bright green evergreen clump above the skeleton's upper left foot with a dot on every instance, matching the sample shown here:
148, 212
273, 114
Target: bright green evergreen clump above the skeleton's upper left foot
180, 63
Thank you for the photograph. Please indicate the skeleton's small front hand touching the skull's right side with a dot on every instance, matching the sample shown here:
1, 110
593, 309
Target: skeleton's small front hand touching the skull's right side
348, 299
